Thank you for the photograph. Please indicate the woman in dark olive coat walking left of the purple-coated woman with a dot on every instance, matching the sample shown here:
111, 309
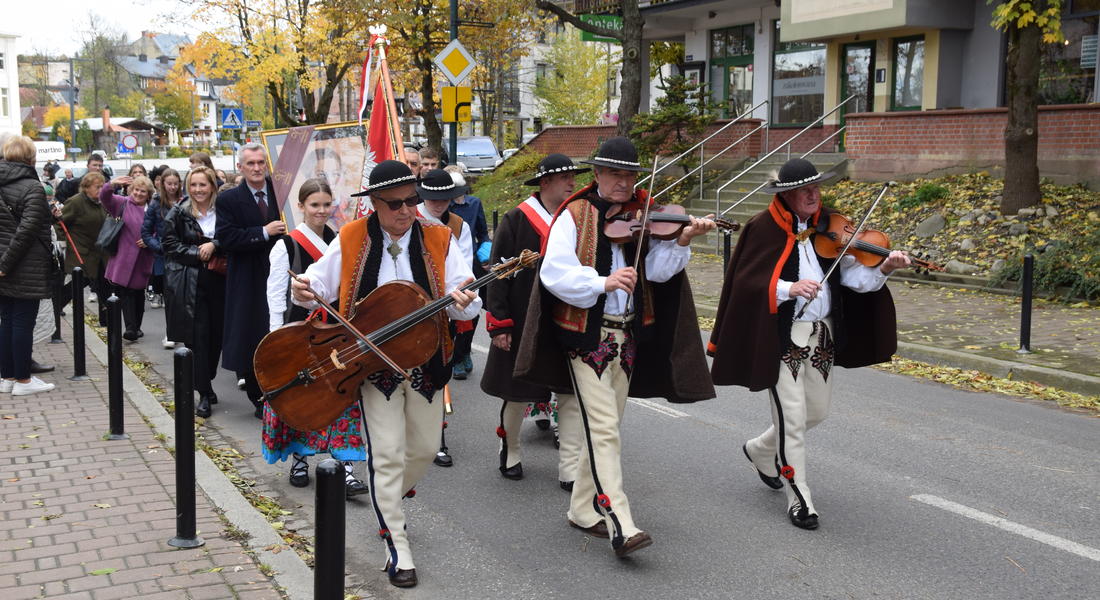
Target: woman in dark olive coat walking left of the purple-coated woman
84, 216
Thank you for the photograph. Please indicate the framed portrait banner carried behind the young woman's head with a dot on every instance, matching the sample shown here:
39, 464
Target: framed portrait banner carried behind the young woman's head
336, 152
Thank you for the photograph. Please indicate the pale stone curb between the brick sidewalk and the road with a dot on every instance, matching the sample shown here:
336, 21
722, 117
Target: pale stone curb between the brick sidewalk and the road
292, 573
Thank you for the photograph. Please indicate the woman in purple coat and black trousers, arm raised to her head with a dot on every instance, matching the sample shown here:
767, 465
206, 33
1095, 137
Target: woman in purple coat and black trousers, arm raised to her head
131, 266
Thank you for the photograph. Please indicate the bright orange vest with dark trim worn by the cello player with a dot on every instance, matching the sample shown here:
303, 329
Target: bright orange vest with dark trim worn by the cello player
361, 247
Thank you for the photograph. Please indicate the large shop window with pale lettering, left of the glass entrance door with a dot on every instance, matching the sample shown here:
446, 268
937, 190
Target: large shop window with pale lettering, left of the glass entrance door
798, 86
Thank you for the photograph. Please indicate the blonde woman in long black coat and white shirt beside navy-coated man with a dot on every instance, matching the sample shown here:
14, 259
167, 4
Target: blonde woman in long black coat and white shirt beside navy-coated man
195, 282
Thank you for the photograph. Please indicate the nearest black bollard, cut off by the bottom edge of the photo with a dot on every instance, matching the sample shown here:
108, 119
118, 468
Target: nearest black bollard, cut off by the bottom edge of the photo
329, 558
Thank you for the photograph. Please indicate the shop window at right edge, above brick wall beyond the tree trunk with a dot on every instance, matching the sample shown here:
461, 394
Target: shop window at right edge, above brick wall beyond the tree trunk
1068, 71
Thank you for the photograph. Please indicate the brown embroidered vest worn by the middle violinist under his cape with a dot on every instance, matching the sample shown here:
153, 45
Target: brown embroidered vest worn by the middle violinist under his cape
580, 328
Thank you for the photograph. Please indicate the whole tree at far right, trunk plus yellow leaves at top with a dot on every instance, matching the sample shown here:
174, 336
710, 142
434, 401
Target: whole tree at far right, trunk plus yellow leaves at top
1029, 25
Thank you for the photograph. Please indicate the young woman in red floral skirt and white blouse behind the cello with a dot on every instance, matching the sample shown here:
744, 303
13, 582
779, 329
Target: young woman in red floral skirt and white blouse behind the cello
296, 252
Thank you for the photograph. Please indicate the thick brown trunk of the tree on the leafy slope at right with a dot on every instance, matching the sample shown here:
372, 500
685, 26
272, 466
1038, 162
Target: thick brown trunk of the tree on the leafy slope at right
1021, 134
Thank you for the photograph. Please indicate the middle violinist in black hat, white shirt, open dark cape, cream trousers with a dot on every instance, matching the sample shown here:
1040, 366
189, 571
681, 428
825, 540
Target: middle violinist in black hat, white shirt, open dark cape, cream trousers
622, 330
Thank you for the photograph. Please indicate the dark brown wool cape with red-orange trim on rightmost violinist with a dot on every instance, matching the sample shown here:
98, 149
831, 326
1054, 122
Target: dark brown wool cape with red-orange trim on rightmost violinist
751, 332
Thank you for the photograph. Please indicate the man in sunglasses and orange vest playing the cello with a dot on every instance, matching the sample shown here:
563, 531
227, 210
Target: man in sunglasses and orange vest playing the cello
402, 419
